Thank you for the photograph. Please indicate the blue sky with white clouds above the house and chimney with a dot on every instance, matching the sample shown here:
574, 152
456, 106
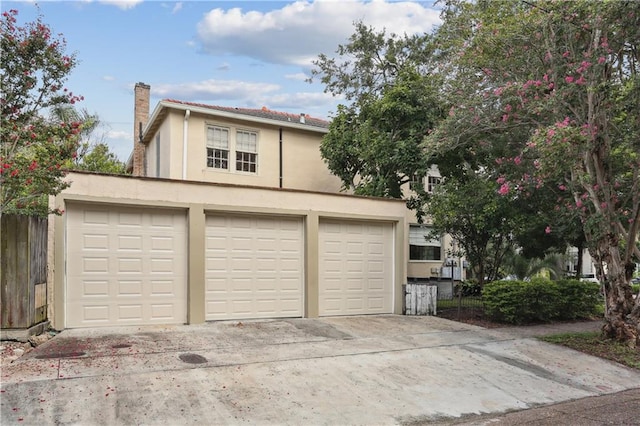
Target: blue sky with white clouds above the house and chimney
231, 53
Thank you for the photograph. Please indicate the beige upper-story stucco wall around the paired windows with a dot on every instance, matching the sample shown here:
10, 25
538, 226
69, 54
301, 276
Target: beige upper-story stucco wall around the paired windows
302, 165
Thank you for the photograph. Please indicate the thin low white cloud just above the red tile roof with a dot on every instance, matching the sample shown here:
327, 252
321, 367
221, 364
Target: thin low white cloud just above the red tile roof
211, 90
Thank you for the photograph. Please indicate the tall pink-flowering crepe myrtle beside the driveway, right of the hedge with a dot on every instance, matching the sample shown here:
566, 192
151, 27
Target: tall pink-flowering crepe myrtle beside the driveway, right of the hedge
562, 79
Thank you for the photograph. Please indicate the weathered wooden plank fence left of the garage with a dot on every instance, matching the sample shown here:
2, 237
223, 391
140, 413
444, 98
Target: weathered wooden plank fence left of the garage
23, 271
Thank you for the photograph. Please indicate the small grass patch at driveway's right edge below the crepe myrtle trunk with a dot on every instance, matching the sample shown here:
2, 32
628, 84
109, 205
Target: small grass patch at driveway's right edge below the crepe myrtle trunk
593, 343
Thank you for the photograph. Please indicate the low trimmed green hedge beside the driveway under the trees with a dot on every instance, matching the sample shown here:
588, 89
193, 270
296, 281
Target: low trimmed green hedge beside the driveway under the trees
540, 300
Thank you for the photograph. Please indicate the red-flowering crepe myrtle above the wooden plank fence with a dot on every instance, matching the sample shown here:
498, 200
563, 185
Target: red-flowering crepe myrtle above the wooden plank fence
34, 147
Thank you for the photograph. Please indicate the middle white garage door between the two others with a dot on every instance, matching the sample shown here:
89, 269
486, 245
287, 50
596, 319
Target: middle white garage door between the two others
254, 267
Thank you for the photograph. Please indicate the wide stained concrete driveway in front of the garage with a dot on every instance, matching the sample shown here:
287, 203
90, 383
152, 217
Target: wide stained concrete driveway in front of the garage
365, 370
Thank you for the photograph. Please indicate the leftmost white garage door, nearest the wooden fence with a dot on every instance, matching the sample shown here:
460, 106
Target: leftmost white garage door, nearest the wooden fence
125, 266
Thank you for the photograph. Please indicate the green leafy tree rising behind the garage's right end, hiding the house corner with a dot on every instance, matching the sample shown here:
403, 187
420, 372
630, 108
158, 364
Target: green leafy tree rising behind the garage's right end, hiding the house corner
373, 143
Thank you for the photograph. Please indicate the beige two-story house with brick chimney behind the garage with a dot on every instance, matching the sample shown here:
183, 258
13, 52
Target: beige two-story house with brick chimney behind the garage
188, 141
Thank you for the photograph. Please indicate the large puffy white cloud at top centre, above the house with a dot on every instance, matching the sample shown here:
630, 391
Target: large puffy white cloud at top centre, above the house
298, 32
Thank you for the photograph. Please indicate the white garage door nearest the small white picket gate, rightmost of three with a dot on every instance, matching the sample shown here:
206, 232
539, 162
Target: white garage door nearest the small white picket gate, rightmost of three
356, 268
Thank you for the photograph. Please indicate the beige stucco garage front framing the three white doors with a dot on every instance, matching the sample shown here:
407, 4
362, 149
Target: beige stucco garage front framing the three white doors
199, 198
